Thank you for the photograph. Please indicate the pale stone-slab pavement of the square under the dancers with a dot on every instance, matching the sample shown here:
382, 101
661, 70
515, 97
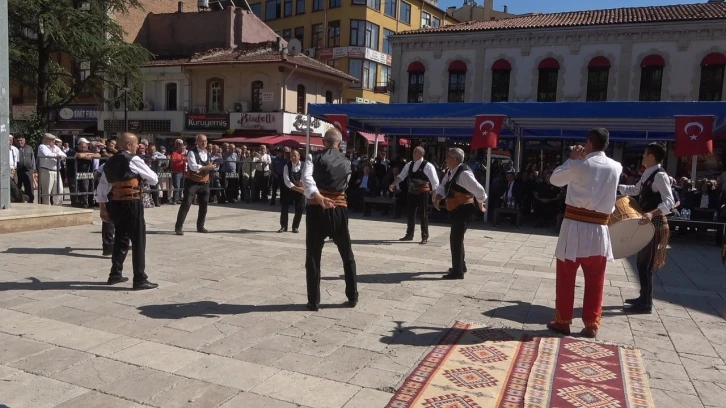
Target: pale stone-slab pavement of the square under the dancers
228, 327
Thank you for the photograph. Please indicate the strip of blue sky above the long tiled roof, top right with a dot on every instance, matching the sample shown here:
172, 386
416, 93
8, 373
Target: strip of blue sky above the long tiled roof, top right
555, 6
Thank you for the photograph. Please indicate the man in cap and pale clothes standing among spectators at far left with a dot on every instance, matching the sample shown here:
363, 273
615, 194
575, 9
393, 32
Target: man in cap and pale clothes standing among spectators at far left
49, 161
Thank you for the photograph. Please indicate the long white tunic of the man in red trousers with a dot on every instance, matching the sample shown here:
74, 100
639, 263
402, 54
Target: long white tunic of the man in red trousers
592, 184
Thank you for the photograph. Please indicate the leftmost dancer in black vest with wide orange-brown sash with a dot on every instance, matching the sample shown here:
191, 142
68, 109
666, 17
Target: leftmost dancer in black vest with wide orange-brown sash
119, 196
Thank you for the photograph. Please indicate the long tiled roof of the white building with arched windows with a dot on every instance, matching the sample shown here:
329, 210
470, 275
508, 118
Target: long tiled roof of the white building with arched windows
631, 15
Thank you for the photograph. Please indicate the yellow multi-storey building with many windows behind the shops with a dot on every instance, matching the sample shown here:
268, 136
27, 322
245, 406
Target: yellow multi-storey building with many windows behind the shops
351, 35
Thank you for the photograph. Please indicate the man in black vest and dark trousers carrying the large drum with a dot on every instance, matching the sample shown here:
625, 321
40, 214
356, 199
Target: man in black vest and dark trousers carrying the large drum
656, 201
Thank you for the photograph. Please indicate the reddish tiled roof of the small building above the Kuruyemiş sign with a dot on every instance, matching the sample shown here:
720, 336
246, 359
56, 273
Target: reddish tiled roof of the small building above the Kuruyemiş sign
264, 53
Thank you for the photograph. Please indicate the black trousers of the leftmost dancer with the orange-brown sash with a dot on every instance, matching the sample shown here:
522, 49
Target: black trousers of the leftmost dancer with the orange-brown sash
130, 226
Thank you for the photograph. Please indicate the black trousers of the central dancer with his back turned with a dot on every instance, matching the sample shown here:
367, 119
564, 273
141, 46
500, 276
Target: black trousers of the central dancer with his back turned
320, 224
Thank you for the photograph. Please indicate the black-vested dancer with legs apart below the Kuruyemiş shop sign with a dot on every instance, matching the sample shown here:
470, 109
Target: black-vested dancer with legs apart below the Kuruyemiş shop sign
196, 183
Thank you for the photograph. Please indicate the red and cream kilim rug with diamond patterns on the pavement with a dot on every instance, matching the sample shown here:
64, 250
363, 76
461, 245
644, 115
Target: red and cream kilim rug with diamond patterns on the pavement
477, 367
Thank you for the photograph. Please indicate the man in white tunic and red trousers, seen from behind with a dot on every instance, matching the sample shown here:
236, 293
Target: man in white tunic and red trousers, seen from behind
584, 237
